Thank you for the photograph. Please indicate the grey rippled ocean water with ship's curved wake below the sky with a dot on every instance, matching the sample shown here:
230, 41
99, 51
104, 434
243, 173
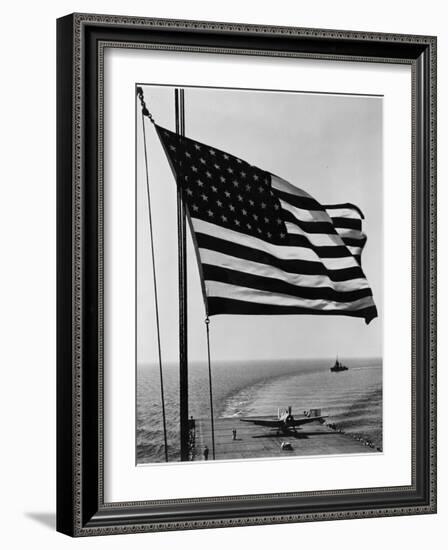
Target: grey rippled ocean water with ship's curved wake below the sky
351, 399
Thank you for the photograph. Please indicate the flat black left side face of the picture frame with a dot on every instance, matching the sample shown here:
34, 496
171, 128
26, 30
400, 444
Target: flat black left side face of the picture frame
65, 372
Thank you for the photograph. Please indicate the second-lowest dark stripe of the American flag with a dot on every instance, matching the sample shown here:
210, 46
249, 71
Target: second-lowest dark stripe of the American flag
277, 286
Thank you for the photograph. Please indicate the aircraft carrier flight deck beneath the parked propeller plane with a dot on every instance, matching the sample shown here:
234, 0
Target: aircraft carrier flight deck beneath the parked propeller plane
259, 442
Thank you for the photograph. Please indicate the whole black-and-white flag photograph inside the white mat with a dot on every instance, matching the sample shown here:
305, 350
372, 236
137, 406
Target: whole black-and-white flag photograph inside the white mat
259, 273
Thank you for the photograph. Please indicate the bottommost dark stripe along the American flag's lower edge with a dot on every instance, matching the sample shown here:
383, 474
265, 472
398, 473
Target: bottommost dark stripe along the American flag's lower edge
219, 305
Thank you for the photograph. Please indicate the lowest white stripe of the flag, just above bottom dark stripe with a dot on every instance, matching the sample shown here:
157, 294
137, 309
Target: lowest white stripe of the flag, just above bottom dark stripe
226, 290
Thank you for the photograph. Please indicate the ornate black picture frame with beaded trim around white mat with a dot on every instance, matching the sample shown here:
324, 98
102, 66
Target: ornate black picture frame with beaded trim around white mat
81, 506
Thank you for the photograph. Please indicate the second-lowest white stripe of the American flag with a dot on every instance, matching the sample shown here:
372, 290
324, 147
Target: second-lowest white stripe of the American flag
214, 258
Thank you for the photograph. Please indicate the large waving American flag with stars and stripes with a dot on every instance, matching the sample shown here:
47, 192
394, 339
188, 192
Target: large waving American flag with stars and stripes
265, 246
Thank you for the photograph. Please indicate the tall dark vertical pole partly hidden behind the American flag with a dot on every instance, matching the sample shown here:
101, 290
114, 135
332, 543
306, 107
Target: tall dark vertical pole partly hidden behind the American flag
179, 100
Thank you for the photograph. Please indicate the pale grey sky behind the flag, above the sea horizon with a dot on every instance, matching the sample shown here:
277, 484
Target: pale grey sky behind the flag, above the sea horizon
328, 145
